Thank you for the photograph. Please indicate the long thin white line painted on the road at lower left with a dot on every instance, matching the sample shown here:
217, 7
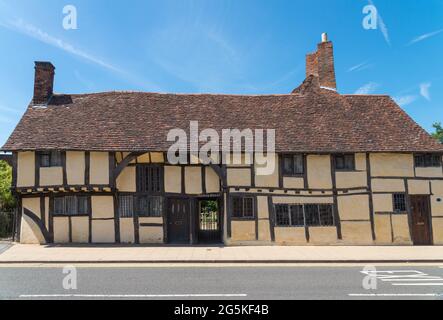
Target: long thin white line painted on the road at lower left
188, 295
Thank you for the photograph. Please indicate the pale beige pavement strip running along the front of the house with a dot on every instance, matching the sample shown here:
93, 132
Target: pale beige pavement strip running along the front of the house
19, 253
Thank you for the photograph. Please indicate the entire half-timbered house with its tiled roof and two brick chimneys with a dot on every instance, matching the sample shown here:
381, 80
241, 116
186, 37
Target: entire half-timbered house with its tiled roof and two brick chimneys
354, 170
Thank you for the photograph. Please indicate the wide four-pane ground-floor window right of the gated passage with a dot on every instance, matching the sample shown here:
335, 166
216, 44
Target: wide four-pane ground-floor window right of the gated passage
311, 215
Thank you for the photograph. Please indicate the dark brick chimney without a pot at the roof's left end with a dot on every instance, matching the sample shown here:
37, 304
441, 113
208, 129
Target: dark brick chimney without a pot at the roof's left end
43, 82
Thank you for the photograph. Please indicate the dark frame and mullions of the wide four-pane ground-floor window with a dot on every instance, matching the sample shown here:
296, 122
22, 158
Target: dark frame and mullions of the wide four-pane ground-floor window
304, 208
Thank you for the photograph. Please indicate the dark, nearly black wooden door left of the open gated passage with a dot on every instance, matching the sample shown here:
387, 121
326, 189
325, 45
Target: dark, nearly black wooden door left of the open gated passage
178, 221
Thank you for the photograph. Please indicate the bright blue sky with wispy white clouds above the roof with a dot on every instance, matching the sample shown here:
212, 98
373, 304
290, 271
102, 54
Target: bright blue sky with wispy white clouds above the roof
221, 46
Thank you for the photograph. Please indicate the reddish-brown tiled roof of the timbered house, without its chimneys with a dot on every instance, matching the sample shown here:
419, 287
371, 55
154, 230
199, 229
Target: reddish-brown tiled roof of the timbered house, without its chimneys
311, 119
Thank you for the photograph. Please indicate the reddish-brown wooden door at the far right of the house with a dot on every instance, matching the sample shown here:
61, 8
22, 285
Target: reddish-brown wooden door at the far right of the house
421, 220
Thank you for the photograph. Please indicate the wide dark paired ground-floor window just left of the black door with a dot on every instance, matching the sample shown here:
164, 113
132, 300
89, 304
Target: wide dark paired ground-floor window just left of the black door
144, 206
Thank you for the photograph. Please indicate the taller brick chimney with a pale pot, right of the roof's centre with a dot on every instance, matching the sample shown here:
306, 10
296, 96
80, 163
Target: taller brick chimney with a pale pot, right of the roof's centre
321, 64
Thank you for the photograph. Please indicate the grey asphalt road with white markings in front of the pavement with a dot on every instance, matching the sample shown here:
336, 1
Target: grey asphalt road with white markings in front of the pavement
215, 282
